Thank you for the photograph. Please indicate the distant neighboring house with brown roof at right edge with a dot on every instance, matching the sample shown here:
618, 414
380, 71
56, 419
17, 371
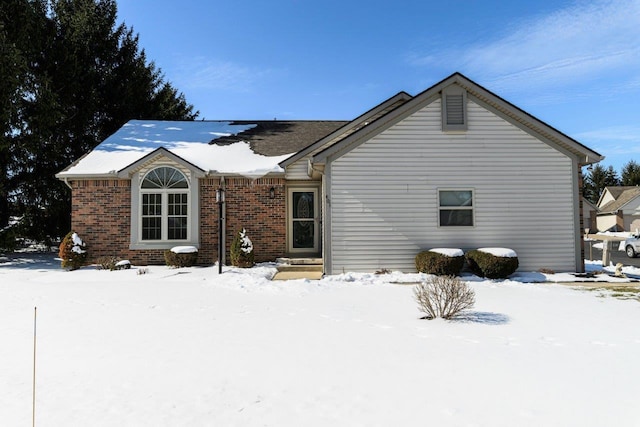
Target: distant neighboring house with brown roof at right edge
619, 209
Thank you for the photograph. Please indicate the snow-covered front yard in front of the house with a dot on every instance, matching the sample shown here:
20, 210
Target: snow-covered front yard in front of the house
189, 347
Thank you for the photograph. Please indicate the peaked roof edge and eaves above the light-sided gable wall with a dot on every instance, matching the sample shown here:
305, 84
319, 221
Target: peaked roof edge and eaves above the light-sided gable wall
500, 106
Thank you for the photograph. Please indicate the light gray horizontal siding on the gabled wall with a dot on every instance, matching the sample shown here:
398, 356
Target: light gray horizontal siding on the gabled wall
384, 194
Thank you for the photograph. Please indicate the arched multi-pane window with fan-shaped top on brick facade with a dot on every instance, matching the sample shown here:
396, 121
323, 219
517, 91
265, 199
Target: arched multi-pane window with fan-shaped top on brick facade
164, 205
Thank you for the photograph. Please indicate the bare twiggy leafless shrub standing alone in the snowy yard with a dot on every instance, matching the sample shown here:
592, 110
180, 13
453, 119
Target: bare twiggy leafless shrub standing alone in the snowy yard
444, 296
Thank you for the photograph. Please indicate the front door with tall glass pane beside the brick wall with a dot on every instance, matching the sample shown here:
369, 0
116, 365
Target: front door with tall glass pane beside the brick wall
304, 220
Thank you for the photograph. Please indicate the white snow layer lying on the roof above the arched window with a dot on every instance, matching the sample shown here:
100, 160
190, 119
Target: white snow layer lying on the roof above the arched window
190, 140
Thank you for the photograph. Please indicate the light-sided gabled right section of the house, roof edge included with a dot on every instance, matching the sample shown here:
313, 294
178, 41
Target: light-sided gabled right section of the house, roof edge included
455, 166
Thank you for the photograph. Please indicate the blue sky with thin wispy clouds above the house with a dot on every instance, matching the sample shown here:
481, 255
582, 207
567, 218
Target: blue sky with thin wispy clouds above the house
572, 64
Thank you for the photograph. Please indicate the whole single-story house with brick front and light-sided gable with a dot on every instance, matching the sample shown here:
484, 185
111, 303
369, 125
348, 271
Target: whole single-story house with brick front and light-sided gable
454, 166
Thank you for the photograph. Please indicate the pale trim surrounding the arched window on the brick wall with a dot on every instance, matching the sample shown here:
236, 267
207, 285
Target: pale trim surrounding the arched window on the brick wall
193, 212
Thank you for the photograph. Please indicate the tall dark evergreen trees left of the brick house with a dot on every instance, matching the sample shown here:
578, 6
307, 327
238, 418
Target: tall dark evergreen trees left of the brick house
70, 76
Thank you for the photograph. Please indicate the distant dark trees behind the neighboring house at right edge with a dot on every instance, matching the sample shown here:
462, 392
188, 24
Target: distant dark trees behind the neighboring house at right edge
599, 177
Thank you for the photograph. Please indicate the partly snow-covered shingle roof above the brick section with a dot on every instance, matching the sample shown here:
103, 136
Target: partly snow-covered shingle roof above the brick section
248, 148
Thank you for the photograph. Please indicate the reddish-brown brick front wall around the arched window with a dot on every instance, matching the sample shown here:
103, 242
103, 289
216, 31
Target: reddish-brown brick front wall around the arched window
101, 215
